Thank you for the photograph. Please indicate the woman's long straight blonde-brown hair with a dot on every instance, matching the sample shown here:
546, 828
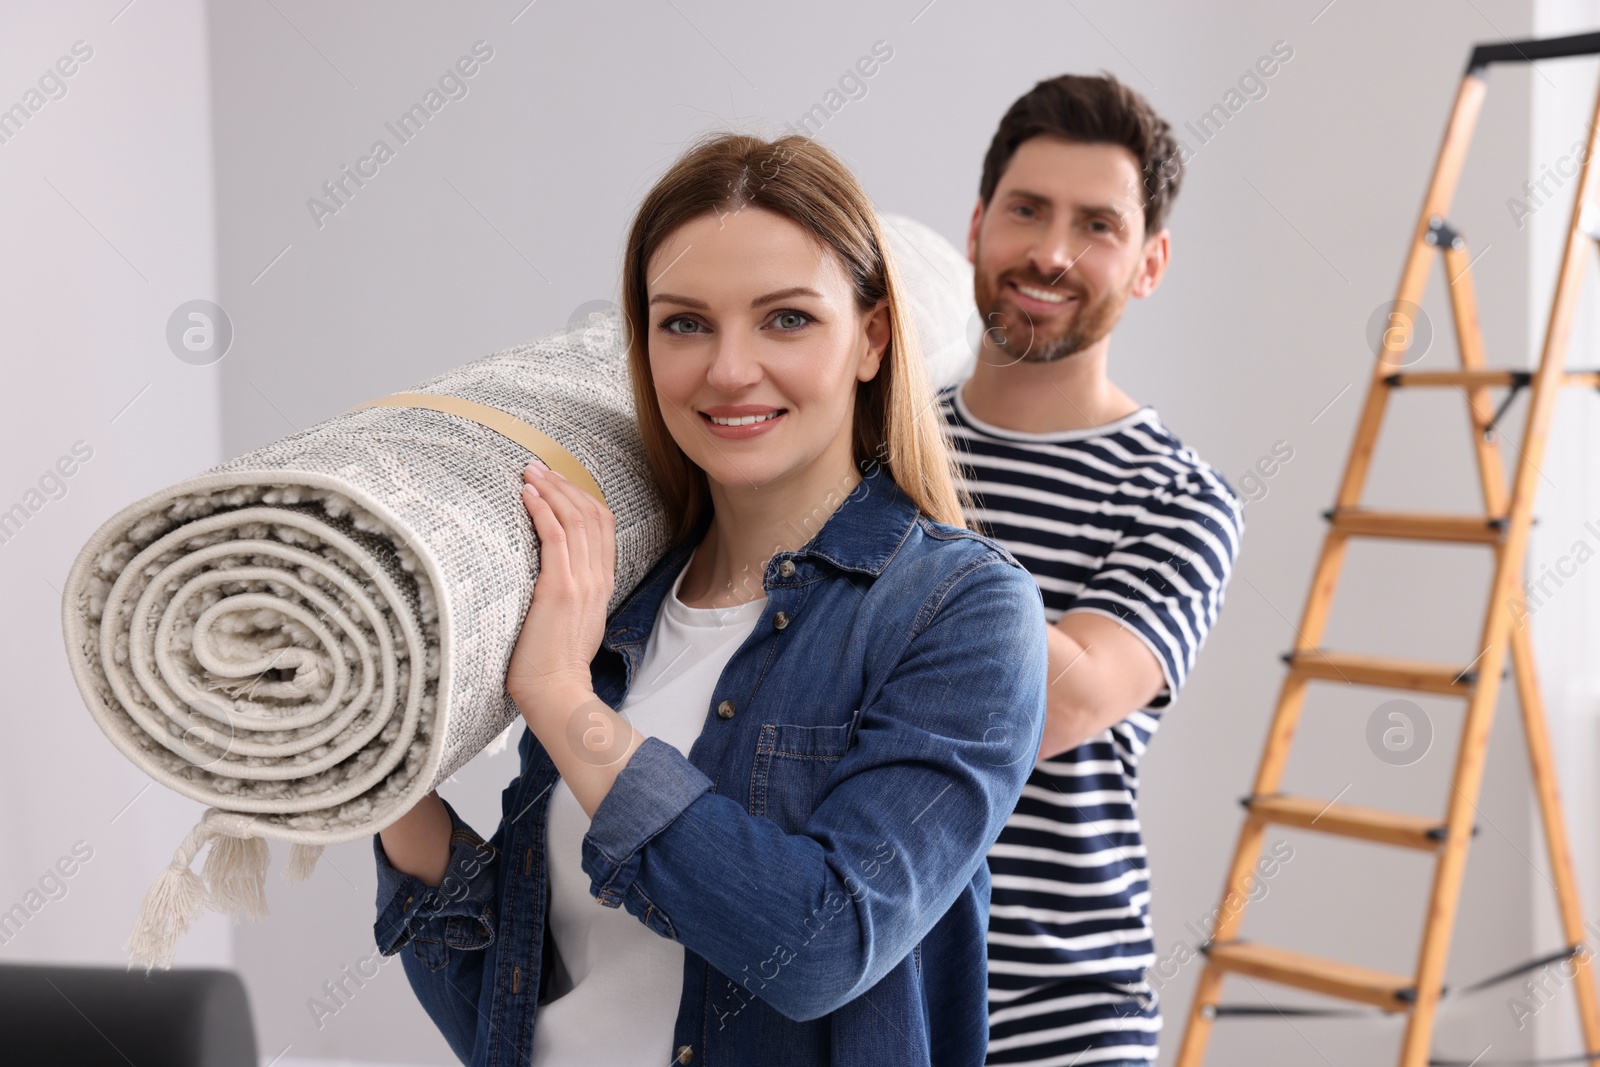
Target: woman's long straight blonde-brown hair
895, 418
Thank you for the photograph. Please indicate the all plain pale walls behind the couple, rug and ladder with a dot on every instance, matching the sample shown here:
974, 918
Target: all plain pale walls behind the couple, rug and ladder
508, 214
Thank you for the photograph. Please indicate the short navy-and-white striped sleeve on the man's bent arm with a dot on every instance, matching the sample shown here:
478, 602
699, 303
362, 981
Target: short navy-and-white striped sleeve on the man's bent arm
1167, 575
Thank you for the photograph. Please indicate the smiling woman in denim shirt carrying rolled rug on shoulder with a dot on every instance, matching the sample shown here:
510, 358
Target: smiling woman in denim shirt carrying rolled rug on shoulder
782, 762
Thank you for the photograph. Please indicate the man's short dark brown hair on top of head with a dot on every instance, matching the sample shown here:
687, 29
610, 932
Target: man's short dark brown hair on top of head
1095, 110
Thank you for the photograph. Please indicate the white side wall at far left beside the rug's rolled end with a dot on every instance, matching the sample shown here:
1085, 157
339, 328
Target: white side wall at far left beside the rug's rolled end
108, 228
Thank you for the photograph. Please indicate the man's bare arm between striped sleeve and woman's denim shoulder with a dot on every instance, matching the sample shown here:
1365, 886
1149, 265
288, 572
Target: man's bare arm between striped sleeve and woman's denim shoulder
1100, 674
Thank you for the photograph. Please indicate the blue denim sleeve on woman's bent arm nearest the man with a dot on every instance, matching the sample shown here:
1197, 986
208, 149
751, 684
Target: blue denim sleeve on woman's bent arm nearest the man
945, 743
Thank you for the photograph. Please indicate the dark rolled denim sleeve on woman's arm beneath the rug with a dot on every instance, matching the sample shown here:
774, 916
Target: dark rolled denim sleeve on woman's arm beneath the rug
455, 914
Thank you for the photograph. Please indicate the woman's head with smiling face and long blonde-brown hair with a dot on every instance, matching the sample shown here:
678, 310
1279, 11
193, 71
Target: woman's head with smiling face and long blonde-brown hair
791, 326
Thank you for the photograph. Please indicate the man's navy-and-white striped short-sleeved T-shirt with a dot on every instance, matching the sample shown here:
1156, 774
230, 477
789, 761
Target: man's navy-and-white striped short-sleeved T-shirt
1127, 522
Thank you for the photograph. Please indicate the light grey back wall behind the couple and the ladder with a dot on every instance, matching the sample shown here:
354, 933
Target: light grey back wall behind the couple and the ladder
510, 212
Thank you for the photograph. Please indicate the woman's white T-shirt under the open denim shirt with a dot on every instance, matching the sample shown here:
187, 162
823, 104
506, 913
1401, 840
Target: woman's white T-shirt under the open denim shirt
617, 986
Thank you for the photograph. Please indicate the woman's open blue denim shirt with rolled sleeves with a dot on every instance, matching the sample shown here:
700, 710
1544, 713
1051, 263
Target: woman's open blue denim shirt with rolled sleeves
820, 853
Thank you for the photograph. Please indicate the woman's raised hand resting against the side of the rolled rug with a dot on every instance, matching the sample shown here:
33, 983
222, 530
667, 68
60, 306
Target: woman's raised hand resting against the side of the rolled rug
577, 578
